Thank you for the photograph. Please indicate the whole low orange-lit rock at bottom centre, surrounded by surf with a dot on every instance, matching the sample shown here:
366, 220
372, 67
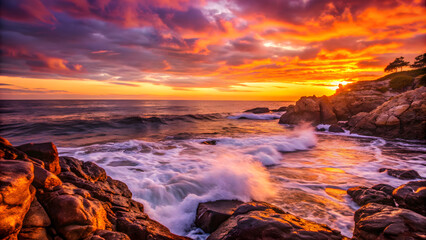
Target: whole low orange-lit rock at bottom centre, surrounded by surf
230, 219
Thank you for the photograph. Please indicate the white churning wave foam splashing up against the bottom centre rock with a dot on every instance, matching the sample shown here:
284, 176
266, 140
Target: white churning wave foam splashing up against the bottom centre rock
172, 177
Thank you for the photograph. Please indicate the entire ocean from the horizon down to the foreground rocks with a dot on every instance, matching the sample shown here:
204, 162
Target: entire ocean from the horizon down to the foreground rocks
156, 148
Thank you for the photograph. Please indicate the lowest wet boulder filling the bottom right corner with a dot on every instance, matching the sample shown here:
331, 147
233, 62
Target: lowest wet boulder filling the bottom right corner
376, 221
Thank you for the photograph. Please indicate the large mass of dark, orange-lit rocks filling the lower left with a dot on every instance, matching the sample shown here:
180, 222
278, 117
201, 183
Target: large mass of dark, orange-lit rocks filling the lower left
44, 196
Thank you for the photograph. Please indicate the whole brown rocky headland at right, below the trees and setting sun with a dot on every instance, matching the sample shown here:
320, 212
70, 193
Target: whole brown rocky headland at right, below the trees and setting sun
369, 108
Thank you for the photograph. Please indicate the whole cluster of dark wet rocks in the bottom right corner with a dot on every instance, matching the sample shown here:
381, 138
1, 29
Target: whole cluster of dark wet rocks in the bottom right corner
379, 218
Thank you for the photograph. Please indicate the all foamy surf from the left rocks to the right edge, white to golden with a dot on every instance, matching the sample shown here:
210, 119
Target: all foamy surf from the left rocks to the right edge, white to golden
172, 177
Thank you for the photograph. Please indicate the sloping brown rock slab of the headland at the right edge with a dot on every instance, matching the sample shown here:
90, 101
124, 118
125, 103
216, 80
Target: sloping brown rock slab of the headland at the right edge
403, 116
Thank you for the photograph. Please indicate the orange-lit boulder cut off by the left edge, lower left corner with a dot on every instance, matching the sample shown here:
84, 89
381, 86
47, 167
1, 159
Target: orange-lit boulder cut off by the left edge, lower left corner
16, 195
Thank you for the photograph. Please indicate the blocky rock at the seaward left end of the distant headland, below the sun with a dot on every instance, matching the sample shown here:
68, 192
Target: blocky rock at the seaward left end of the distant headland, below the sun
310, 109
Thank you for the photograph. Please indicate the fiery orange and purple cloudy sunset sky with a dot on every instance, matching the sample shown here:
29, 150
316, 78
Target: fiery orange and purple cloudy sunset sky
201, 49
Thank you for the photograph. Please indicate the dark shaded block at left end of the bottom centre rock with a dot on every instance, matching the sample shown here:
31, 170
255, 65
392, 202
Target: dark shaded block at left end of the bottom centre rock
211, 214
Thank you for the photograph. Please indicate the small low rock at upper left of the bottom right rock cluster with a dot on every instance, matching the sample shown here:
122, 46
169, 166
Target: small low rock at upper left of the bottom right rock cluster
364, 195
